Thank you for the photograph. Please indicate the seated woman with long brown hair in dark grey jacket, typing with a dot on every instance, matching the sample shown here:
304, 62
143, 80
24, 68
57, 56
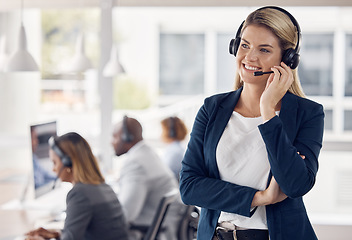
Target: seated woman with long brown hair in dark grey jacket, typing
93, 210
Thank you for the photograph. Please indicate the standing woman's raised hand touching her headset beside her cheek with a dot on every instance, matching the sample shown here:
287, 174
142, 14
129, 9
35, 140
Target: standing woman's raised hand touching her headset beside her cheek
277, 85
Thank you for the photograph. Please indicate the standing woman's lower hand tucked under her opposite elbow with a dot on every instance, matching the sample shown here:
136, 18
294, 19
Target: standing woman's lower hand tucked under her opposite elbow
271, 195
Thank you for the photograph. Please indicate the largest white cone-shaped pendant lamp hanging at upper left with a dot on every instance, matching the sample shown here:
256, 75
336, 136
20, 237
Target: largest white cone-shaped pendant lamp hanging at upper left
21, 59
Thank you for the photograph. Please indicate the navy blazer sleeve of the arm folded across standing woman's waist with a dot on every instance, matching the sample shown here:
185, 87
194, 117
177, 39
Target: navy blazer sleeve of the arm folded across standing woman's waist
199, 184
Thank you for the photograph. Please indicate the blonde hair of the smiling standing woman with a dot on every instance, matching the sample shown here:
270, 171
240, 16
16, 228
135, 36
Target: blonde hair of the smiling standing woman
282, 27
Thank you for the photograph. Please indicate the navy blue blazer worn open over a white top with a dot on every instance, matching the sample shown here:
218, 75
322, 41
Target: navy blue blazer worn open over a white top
298, 128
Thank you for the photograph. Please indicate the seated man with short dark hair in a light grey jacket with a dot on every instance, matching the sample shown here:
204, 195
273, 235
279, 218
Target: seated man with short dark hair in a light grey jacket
144, 178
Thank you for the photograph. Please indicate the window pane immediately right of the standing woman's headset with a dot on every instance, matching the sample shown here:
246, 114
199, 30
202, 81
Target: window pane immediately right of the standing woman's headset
315, 68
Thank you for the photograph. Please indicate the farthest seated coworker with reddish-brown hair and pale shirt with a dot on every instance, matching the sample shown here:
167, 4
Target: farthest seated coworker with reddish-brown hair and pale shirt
173, 132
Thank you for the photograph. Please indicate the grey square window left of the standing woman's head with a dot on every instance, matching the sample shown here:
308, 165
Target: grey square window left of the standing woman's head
181, 64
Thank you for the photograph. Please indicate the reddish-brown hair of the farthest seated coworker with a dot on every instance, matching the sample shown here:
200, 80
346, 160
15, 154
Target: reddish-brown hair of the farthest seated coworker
176, 125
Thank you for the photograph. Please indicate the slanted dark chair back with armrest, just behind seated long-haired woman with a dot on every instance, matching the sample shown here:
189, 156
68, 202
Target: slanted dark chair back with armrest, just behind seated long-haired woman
152, 231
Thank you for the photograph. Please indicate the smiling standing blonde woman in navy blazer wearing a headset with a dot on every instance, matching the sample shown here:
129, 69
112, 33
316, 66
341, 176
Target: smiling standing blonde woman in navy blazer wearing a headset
253, 152
